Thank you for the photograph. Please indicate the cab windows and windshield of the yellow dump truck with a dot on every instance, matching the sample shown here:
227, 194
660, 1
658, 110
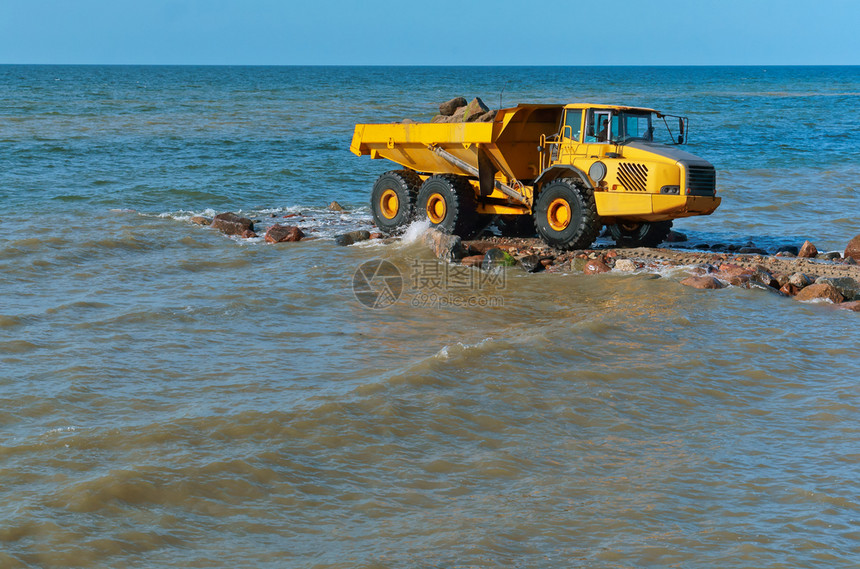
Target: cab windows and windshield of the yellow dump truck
621, 127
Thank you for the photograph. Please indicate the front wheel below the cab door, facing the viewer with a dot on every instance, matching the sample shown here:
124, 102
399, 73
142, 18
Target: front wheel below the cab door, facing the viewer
565, 215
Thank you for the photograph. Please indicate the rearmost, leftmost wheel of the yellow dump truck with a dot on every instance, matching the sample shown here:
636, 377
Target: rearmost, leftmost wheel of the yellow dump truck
392, 201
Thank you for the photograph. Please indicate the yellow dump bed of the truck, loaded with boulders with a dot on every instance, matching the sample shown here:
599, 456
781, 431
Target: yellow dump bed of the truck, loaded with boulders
510, 141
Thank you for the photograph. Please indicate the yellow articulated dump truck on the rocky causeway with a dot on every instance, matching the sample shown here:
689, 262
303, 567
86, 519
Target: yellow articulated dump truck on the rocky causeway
563, 171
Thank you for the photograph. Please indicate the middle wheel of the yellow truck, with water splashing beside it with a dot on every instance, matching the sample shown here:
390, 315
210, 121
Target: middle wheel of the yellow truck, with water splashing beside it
448, 201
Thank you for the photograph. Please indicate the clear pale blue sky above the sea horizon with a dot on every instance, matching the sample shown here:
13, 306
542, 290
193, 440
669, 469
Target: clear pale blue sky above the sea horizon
438, 32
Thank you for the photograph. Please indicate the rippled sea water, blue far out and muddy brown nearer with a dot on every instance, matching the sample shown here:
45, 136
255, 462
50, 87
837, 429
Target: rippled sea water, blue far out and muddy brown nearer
173, 397
